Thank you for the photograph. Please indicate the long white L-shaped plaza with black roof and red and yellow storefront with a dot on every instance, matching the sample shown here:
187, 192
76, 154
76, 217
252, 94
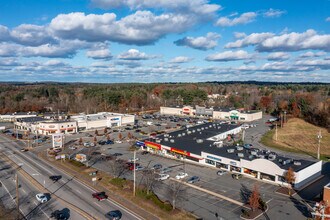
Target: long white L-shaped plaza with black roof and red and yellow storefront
203, 144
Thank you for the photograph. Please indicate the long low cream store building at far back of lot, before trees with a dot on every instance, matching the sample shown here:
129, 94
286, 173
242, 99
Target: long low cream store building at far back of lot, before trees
213, 112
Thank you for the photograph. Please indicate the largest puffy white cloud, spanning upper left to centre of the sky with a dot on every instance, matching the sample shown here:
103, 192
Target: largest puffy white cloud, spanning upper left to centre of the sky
140, 28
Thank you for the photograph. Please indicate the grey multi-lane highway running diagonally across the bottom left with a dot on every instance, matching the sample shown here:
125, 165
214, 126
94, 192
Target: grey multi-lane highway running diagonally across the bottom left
67, 188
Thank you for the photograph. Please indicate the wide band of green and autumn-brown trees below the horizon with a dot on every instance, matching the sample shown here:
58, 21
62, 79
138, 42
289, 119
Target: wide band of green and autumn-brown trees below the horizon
310, 101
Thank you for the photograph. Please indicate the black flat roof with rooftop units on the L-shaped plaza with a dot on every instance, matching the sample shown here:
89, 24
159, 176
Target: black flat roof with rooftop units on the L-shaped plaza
189, 143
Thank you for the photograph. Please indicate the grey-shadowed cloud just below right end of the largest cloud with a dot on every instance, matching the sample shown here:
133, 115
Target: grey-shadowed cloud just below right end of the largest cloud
200, 43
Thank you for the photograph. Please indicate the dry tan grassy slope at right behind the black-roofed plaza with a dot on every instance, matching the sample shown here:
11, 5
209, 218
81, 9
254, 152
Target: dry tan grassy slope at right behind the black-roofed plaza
298, 136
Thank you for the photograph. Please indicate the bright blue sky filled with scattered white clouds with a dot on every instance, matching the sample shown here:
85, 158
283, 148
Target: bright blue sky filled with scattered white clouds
117, 41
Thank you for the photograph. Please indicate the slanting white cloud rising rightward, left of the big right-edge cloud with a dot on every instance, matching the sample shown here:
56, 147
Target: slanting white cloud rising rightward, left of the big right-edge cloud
251, 39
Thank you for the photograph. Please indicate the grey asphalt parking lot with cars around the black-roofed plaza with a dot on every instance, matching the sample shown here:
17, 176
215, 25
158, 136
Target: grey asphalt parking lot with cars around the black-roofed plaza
195, 201
